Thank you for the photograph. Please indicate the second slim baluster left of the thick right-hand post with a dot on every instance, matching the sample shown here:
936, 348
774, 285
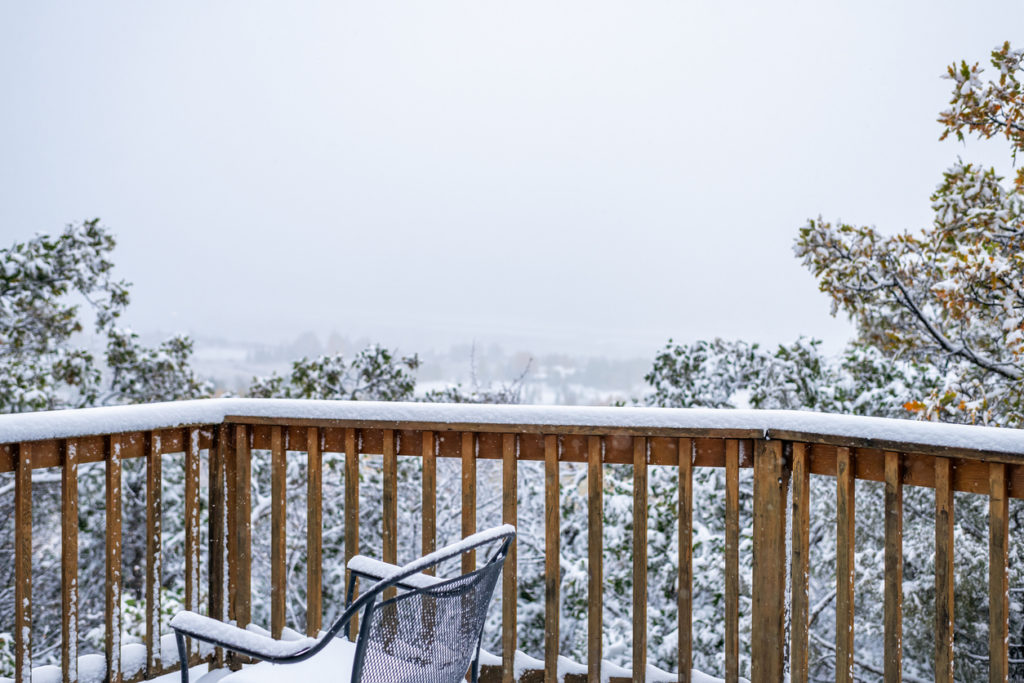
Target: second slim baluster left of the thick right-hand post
686, 593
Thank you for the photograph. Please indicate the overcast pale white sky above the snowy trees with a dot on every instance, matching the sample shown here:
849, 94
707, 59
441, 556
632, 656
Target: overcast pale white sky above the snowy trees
591, 177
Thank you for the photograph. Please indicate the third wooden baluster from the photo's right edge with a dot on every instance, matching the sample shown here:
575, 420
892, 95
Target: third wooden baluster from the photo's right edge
894, 570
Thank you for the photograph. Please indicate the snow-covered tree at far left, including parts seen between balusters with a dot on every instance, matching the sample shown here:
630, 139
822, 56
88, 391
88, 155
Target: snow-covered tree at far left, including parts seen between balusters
53, 289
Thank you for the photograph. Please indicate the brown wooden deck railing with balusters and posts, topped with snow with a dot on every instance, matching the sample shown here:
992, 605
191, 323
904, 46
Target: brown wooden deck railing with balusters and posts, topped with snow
782, 461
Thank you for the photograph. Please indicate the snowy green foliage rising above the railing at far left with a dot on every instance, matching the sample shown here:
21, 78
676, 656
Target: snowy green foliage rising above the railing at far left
44, 284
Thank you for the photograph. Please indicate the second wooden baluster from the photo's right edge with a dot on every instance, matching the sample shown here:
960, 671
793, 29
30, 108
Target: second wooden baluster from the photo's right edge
944, 570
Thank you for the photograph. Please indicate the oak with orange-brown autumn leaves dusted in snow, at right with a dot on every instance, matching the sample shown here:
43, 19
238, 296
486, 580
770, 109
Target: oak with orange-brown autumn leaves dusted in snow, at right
952, 296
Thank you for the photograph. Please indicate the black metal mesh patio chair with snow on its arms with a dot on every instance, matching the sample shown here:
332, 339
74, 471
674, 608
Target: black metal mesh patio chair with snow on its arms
429, 633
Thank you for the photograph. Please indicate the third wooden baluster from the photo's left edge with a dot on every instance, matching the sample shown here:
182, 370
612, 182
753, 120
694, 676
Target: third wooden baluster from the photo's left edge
113, 603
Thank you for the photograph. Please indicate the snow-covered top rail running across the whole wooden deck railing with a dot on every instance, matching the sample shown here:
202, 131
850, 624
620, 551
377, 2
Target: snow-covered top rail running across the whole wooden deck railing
836, 430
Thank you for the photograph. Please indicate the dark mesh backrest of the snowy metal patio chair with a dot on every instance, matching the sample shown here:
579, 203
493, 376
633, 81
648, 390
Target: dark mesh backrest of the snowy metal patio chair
429, 635
